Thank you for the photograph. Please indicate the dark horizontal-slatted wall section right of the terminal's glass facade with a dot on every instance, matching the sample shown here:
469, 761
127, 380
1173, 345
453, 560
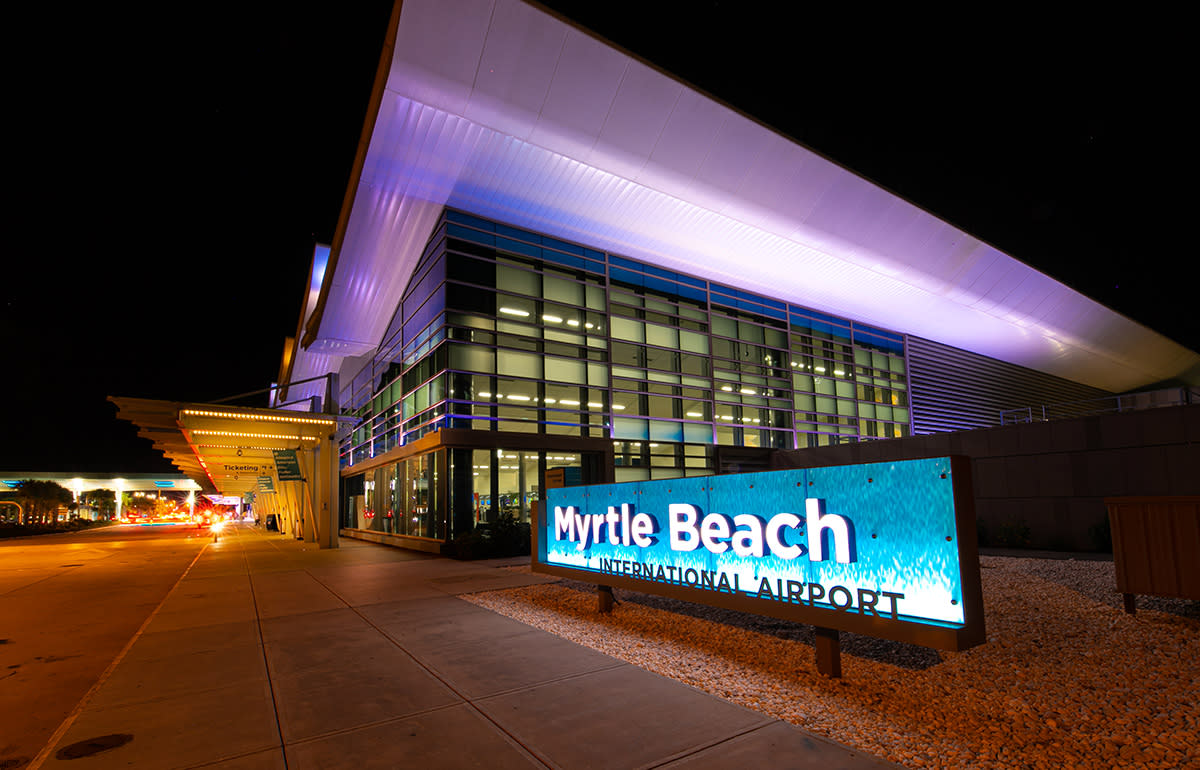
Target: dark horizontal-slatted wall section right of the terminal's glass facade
957, 390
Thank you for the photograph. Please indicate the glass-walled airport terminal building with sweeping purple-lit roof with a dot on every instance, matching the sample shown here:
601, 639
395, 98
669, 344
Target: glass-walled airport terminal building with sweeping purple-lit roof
559, 264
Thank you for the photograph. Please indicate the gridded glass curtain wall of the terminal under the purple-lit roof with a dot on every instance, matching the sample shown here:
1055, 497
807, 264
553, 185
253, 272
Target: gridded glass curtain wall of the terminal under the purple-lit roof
508, 330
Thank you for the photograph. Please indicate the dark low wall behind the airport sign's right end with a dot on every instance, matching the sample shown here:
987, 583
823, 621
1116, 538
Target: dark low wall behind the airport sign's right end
1043, 485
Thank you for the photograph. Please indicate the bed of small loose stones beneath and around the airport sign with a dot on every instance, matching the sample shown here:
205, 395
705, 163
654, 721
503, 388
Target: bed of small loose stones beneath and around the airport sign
1067, 679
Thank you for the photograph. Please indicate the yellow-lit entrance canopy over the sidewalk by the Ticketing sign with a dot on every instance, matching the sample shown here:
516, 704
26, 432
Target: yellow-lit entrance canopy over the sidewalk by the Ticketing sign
223, 449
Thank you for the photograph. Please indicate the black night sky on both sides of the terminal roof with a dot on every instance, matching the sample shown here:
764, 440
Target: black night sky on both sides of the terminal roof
173, 170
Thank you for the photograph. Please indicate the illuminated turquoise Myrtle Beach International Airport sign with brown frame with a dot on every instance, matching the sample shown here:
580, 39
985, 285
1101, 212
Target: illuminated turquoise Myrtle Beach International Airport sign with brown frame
886, 550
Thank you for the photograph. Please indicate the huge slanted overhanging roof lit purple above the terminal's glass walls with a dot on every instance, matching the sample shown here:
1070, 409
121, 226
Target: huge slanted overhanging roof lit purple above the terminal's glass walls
500, 109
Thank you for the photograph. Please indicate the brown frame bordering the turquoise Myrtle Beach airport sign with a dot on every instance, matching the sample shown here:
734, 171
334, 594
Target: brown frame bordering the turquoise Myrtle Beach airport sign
940, 636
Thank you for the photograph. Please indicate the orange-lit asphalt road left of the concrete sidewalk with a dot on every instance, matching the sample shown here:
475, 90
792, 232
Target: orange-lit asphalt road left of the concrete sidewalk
69, 606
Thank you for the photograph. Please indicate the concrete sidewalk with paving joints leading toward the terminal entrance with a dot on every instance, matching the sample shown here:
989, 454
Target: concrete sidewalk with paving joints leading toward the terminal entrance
273, 654
